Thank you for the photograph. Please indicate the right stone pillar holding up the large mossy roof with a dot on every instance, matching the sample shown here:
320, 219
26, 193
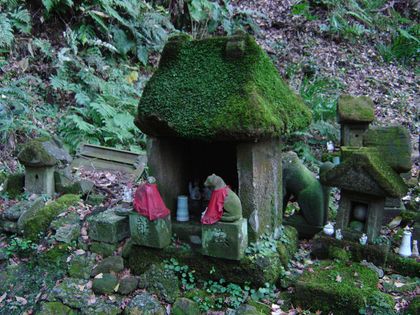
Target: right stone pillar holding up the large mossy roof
260, 185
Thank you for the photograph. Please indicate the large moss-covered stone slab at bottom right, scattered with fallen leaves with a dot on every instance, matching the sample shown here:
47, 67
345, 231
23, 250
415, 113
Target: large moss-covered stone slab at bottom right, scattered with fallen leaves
336, 287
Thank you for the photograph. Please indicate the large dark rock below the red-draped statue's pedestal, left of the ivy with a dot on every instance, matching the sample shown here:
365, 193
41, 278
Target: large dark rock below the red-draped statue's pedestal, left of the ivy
163, 283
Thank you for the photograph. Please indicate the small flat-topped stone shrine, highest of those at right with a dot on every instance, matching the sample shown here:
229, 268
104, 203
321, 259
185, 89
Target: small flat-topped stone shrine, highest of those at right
354, 114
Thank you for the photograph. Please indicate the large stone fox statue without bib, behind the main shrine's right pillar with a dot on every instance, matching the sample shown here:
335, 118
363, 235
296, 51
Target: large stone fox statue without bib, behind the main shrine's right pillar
301, 183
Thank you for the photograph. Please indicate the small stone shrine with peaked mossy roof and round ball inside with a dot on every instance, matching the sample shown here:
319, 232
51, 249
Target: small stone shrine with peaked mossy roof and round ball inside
365, 181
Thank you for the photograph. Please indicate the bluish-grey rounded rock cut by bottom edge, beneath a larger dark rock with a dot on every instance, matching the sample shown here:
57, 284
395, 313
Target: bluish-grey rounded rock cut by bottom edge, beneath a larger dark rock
144, 304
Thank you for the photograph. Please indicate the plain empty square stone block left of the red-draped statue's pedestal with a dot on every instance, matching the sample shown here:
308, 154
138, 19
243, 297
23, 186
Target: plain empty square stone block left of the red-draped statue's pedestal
108, 227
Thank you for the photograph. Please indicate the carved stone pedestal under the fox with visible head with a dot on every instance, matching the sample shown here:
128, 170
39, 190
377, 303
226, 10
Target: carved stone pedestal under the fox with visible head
225, 239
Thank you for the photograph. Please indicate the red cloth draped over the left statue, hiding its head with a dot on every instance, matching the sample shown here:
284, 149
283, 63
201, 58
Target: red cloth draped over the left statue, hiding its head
148, 202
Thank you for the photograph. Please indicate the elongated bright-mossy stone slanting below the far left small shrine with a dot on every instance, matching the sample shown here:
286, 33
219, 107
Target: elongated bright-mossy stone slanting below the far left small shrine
38, 221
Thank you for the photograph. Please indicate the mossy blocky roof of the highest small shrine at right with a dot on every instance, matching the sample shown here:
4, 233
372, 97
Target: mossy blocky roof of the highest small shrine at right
355, 109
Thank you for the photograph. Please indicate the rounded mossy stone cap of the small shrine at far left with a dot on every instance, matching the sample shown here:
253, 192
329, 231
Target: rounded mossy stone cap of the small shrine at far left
33, 153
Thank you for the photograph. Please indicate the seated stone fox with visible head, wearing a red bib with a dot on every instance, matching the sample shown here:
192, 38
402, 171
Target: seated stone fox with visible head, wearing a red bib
224, 204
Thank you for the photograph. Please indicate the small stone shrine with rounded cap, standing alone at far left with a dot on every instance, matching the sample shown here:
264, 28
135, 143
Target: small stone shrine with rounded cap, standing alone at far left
39, 167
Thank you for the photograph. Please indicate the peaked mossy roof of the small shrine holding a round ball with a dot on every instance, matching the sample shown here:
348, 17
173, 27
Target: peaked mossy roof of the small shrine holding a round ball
362, 170
